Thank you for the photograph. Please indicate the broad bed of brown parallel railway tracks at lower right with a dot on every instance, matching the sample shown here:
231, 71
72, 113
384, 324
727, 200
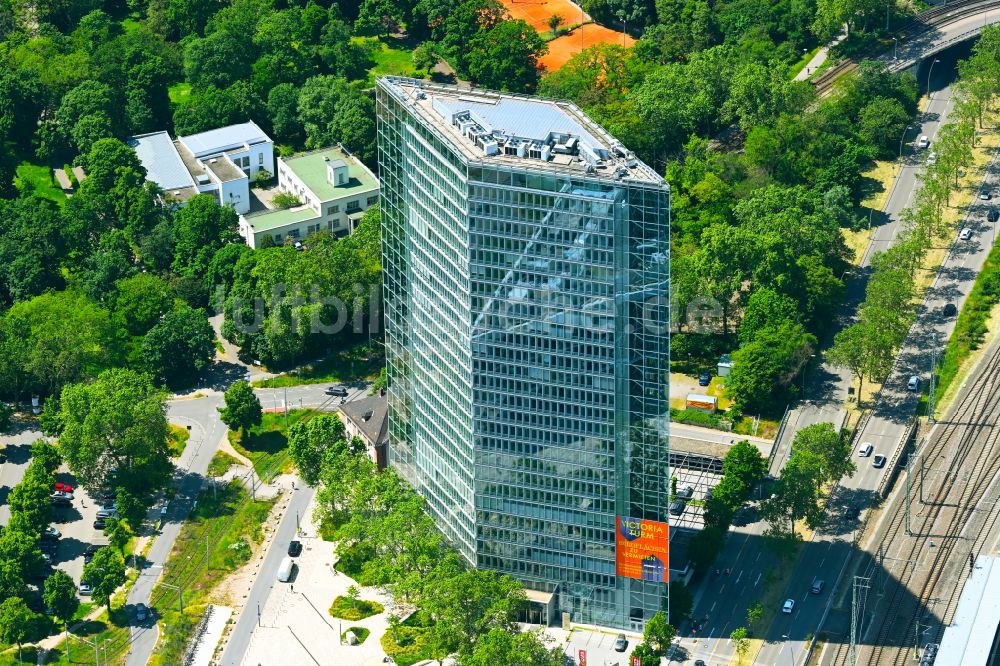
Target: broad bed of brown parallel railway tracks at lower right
970, 443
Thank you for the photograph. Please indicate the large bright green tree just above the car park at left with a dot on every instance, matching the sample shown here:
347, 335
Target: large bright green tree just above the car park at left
115, 430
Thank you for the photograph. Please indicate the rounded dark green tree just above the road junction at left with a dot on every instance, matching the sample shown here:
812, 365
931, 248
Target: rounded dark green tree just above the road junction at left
180, 347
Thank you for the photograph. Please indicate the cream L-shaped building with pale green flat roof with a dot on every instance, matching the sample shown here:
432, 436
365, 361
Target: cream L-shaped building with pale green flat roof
333, 187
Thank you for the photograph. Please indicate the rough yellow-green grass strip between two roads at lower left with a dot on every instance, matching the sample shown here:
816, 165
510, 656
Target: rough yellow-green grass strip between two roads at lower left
223, 519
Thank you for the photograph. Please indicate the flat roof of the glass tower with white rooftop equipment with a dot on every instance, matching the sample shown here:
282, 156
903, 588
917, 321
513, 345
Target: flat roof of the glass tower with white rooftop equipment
531, 132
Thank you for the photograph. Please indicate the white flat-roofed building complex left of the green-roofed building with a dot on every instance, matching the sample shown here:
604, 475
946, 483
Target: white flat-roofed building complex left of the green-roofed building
220, 162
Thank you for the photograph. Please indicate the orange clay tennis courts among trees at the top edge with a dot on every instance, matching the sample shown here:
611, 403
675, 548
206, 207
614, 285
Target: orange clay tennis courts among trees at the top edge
537, 12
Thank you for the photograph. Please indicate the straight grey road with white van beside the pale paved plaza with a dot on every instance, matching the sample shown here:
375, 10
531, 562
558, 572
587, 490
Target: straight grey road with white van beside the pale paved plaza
239, 640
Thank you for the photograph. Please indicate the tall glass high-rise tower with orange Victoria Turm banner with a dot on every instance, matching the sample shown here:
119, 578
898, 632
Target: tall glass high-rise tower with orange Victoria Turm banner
526, 260
